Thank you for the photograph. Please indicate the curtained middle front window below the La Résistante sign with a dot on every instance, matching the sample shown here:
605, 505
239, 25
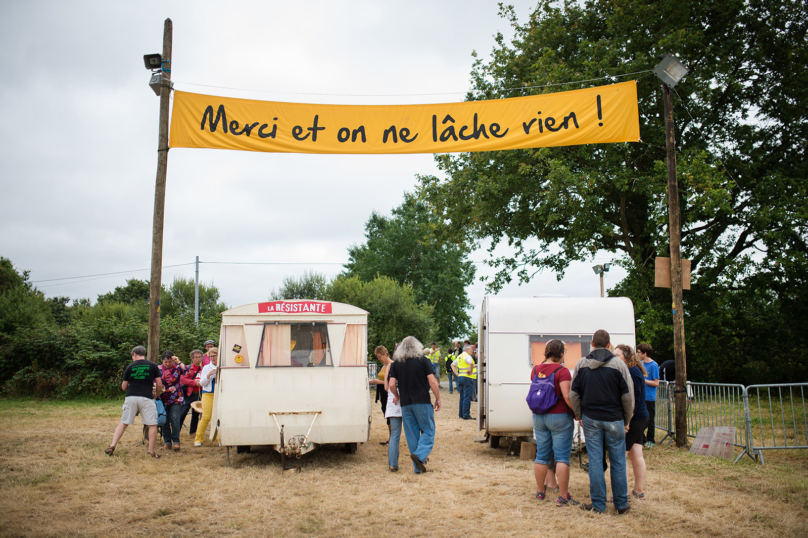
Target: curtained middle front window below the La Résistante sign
294, 344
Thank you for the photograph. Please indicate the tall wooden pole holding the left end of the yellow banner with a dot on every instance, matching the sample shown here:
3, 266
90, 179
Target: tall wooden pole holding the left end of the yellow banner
160, 199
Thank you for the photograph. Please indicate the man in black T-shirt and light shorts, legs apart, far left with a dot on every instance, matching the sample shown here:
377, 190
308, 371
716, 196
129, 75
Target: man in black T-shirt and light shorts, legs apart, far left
140, 379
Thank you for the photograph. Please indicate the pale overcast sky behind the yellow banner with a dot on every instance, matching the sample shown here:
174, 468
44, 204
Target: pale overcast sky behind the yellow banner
78, 147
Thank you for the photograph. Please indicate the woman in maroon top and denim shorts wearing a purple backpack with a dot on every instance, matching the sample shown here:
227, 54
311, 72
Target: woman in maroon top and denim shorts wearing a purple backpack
553, 420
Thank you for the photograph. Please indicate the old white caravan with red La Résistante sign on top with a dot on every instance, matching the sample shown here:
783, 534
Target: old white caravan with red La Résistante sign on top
292, 375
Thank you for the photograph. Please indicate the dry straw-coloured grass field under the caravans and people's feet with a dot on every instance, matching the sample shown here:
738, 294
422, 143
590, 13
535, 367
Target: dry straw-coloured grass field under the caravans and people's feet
55, 480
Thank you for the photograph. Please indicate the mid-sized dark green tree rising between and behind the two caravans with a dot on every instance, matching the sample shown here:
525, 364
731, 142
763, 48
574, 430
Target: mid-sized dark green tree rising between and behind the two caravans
404, 247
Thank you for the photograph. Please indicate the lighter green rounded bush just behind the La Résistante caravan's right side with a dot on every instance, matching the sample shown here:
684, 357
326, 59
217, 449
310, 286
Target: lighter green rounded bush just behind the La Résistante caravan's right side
393, 311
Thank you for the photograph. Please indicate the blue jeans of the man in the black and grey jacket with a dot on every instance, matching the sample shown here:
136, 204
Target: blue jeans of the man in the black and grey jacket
612, 436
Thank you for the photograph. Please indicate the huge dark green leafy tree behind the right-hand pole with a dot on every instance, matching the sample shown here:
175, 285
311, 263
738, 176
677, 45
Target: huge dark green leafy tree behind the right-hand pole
741, 132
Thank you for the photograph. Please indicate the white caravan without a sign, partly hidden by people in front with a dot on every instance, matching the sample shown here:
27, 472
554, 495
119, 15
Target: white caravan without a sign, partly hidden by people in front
512, 336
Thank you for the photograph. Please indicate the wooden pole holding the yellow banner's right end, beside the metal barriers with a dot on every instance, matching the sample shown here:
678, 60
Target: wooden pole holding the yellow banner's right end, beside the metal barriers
674, 226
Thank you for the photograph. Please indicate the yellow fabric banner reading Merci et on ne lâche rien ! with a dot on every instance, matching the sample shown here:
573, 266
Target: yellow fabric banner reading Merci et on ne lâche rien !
589, 116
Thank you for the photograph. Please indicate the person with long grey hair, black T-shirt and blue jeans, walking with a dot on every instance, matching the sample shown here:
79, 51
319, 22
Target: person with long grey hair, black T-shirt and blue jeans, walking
411, 378
